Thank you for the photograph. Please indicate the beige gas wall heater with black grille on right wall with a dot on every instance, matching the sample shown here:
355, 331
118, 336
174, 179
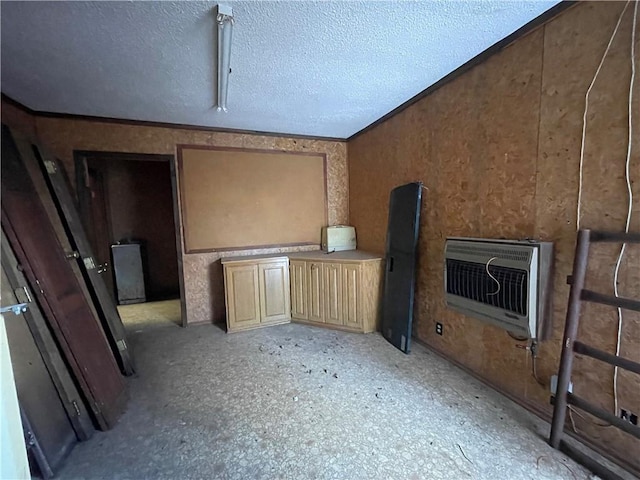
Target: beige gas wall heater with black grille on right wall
507, 283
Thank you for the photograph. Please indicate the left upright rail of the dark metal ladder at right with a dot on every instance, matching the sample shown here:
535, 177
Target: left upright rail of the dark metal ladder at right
570, 332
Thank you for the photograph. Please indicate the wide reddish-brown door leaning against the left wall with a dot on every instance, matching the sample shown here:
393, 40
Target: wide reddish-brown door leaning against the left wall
44, 263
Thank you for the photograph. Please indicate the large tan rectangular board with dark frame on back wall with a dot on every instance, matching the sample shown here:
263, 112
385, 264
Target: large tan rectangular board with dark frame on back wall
237, 198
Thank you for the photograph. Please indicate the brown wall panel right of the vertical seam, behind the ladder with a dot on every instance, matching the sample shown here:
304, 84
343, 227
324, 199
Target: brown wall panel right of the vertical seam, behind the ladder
573, 48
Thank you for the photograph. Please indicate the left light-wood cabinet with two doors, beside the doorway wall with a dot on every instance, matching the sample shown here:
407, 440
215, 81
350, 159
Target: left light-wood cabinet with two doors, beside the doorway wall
257, 291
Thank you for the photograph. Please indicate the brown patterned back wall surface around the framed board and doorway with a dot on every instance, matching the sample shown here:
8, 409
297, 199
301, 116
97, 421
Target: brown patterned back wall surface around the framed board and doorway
204, 291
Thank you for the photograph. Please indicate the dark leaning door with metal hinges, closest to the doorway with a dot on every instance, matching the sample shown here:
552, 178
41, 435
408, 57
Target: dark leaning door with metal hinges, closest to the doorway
57, 193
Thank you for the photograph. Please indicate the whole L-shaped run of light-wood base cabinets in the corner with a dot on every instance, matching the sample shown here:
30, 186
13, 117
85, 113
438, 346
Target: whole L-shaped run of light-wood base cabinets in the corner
340, 290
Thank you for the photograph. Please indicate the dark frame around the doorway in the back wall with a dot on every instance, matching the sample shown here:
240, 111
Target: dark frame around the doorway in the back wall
81, 157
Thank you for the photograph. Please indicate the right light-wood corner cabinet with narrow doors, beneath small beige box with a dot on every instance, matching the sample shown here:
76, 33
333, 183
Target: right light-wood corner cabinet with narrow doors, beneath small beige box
342, 289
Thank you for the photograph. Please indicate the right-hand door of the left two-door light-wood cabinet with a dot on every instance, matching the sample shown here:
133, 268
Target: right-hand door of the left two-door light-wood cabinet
275, 300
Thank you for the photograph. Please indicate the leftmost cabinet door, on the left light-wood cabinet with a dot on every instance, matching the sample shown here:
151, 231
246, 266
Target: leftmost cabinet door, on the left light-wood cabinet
243, 298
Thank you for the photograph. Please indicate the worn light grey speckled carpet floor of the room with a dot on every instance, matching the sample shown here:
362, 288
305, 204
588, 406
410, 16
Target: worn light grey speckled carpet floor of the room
298, 402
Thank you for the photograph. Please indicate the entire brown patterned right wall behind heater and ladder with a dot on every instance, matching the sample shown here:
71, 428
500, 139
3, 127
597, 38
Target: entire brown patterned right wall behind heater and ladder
498, 149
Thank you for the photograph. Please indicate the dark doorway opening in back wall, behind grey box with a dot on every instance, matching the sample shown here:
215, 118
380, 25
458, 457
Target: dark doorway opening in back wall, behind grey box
130, 198
